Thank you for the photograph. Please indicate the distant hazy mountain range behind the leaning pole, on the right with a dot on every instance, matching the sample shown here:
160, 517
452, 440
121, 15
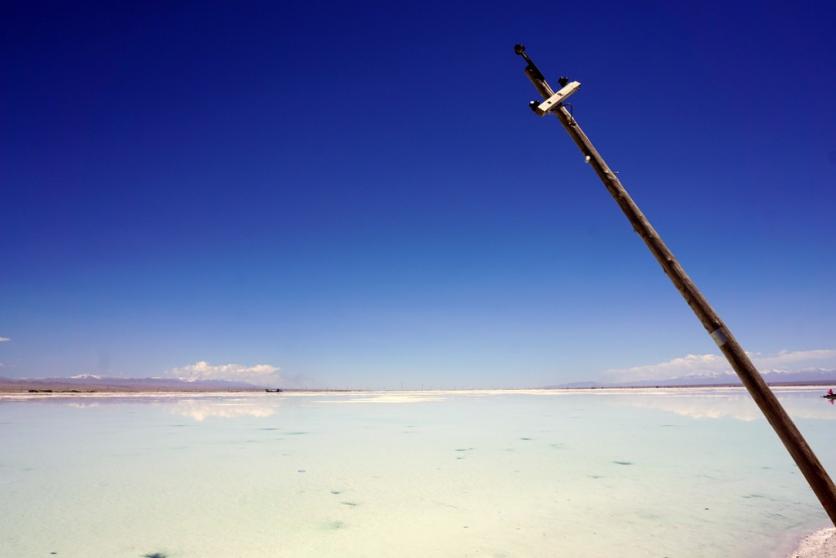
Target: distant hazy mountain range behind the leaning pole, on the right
773, 378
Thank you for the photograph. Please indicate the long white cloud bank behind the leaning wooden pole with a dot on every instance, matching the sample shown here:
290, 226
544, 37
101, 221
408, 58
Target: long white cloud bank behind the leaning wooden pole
713, 365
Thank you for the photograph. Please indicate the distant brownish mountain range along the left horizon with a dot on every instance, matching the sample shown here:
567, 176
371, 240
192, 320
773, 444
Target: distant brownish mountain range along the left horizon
91, 382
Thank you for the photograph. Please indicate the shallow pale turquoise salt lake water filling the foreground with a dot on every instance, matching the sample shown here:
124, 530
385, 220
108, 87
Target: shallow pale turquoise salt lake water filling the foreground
678, 473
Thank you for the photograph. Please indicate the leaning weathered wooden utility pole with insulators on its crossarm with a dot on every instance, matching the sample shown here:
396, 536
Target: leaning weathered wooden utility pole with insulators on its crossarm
803, 455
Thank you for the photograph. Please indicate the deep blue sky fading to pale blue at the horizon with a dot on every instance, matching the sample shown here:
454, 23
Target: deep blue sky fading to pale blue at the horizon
357, 194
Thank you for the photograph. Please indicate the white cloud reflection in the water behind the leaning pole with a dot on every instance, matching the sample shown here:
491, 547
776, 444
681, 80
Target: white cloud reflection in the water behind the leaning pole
702, 404
